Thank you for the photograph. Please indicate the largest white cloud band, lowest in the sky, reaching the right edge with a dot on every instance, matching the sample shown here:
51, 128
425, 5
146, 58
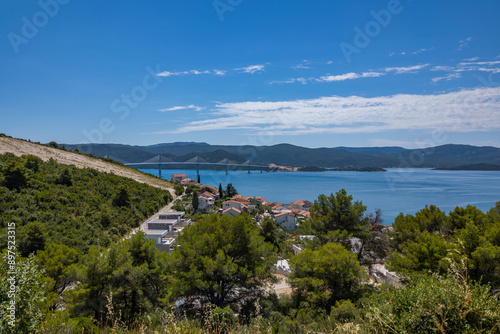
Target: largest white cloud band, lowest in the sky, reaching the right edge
461, 111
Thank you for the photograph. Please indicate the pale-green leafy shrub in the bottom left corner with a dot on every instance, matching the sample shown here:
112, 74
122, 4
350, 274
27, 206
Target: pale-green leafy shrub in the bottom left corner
26, 290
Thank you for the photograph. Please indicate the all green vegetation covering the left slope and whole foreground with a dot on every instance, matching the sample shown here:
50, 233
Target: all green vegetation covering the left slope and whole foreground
217, 280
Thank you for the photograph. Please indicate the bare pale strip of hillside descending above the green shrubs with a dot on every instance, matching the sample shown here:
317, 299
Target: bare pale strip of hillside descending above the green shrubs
21, 147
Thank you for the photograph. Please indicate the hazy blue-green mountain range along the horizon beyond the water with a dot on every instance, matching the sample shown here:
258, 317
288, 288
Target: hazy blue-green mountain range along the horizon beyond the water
444, 156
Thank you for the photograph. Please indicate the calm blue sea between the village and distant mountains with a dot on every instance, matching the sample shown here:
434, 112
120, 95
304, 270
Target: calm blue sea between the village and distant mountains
394, 191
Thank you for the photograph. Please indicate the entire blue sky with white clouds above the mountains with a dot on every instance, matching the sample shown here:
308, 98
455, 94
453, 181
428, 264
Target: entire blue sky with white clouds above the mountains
311, 73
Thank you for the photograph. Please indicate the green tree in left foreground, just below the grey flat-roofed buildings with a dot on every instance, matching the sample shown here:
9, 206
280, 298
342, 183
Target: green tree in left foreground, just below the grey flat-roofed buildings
130, 276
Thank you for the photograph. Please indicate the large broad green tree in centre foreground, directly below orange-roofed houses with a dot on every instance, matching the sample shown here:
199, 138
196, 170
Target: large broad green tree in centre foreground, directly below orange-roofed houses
222, 259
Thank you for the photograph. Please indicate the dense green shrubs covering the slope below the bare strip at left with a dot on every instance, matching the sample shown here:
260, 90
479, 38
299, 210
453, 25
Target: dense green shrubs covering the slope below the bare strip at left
50, 202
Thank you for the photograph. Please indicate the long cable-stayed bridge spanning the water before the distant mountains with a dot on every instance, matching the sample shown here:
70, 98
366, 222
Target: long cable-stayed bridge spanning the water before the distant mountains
195, 161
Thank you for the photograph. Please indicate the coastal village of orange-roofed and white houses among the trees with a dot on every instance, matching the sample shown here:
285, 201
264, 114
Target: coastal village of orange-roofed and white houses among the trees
165, 226
